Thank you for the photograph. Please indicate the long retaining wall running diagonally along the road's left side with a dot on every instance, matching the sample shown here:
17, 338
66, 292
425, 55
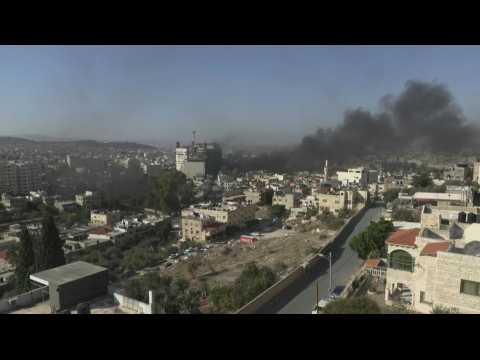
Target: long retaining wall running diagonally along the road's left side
299, 273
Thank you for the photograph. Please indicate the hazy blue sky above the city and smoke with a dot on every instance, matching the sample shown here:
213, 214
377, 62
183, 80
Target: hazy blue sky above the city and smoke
257, 93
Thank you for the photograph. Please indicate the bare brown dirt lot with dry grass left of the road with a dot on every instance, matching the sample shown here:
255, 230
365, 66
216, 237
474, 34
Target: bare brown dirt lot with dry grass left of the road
281, 250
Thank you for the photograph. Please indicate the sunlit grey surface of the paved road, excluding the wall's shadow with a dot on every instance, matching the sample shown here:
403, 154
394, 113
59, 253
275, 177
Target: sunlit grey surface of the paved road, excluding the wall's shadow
344, 264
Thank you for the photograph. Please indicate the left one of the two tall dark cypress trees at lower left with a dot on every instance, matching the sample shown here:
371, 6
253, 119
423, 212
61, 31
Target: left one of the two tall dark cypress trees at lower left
24, 261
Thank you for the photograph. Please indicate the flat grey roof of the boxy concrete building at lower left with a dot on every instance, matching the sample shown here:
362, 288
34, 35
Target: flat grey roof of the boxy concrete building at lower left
66, 273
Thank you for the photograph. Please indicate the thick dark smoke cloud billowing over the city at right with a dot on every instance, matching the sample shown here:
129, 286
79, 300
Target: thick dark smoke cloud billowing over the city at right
424, 117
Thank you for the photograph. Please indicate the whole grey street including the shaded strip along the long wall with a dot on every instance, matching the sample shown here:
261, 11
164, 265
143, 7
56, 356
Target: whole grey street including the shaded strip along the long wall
300, 298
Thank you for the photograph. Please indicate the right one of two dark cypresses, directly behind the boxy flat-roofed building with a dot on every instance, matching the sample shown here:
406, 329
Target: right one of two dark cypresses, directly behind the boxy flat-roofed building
50, 253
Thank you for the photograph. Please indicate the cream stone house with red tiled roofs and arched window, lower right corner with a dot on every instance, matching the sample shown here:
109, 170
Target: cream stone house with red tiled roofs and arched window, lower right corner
435, 265
